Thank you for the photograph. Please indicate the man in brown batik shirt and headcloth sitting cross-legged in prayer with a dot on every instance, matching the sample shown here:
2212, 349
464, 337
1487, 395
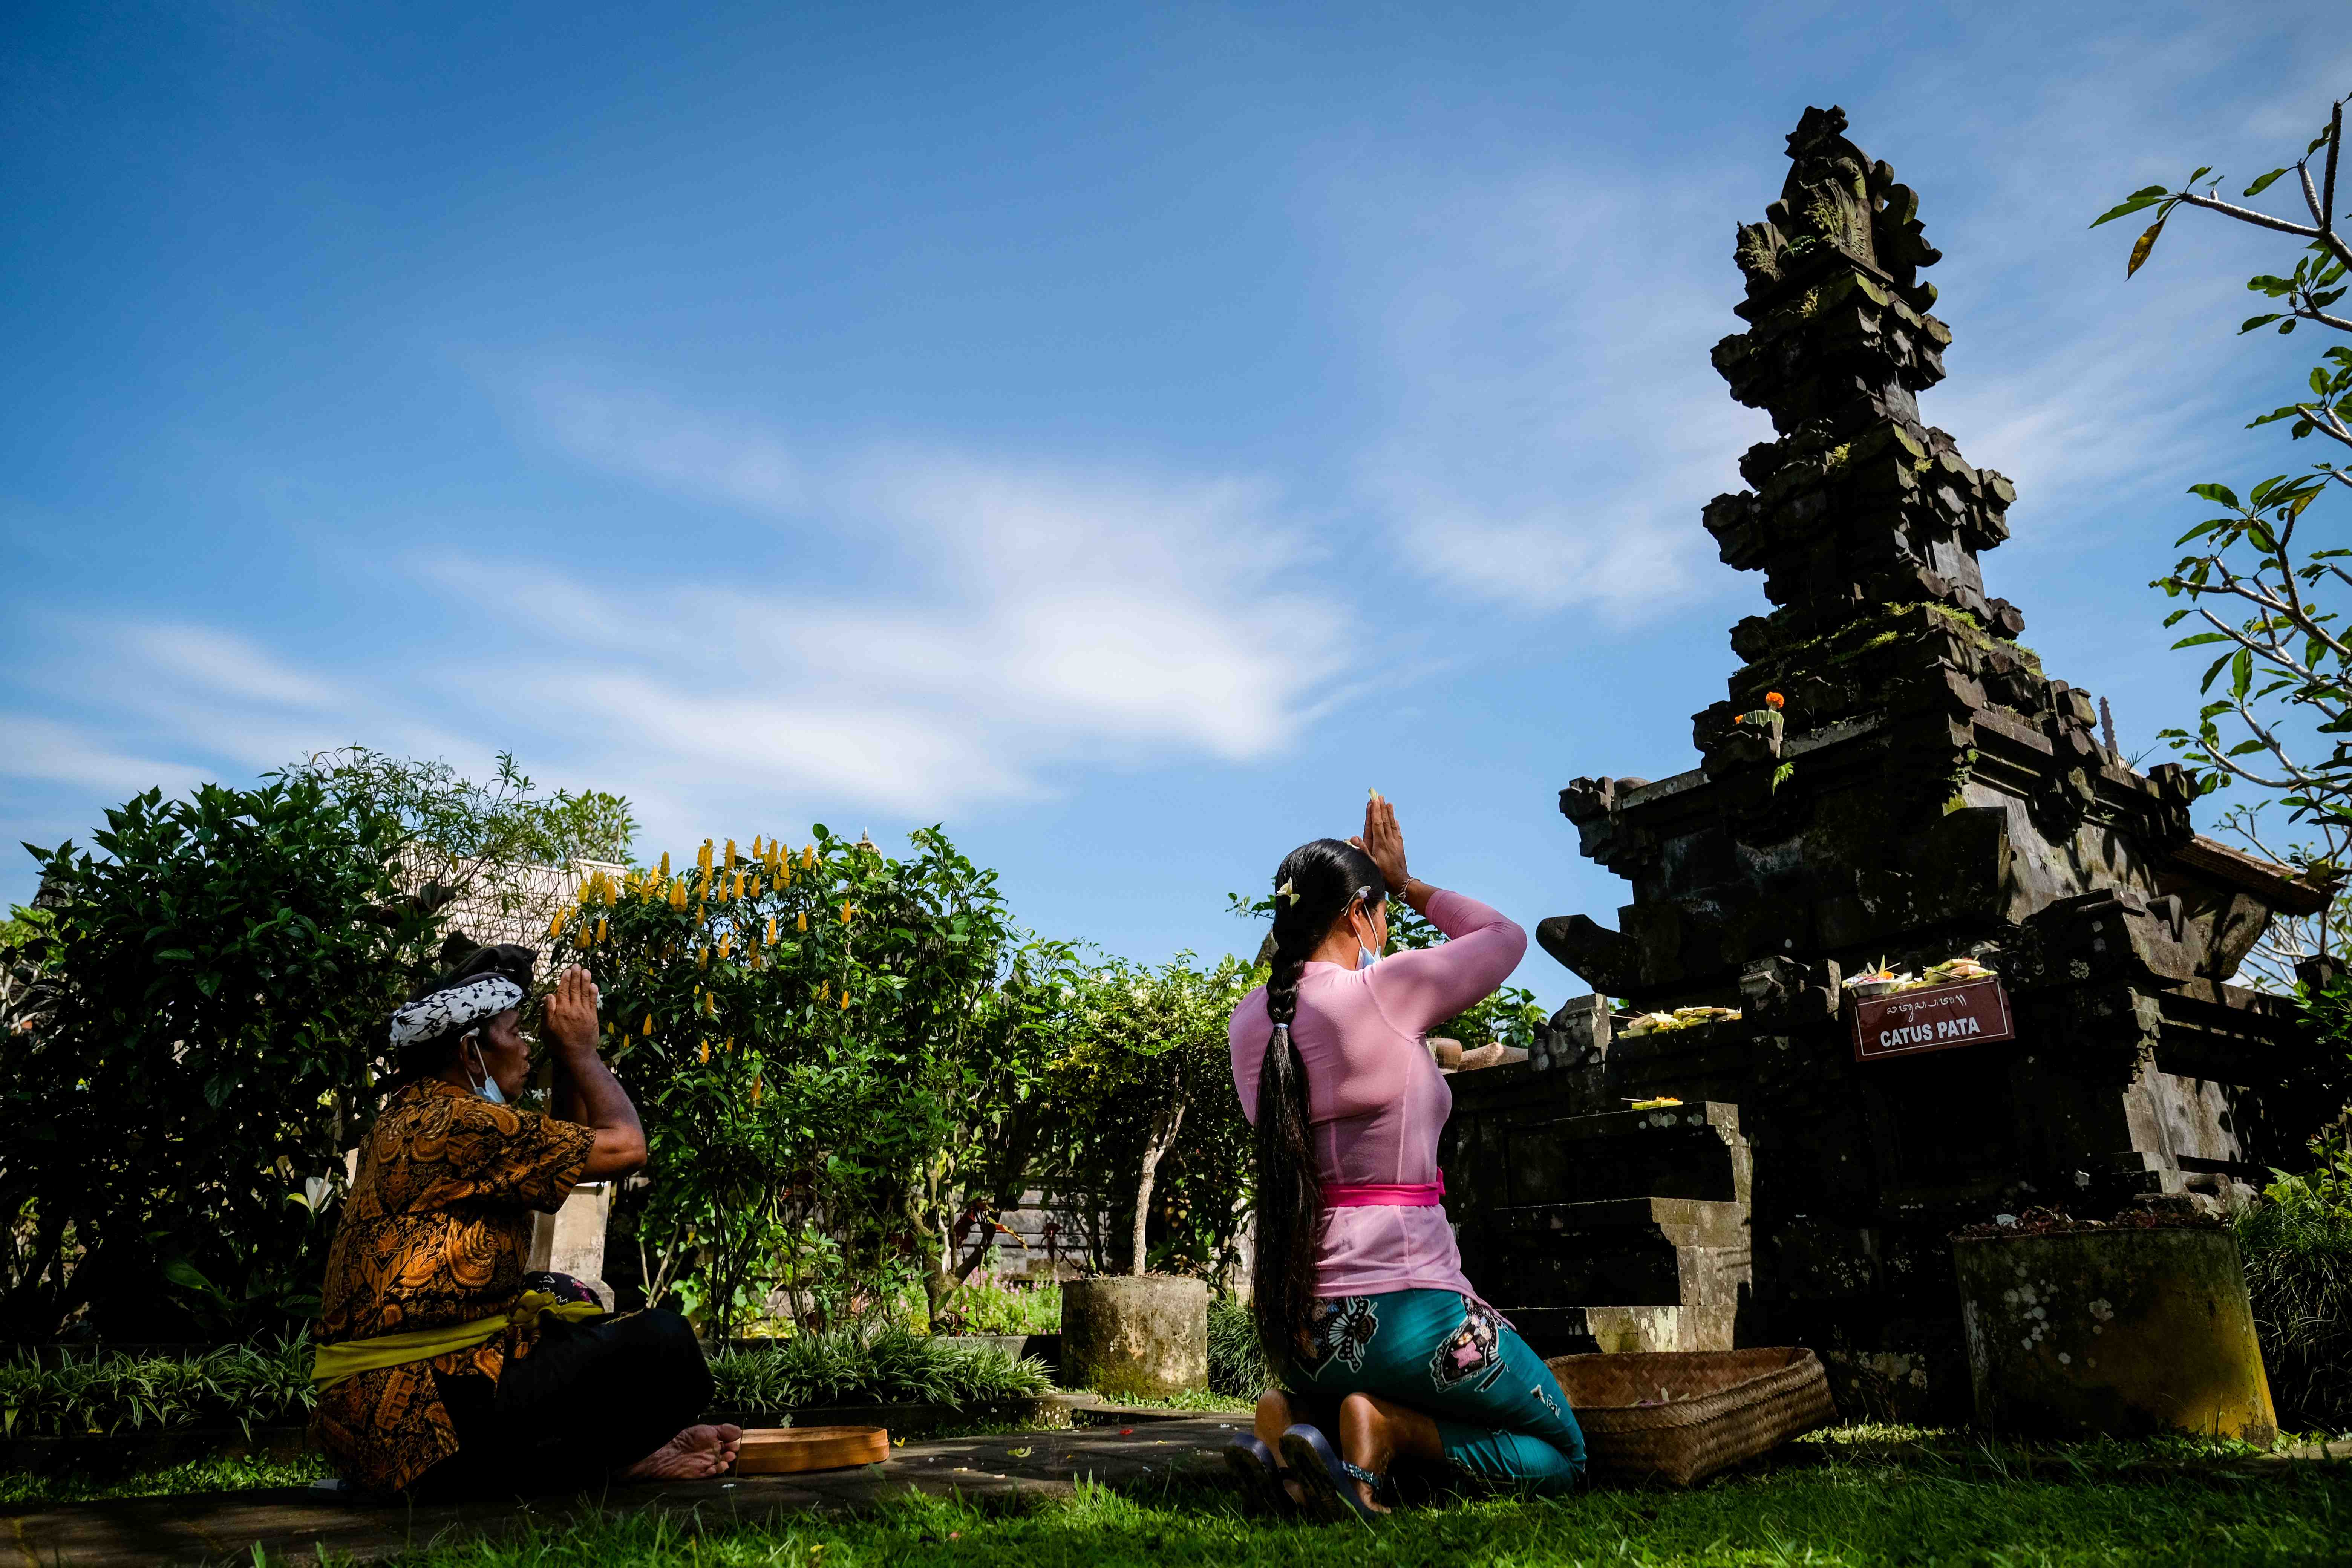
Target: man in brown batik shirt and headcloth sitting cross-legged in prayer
439, 1369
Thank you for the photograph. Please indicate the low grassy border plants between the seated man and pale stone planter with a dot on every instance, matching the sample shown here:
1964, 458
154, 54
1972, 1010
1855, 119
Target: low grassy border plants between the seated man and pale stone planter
895, 1367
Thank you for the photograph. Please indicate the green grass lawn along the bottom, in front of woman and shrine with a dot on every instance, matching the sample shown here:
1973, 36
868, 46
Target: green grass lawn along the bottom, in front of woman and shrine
1862, 1496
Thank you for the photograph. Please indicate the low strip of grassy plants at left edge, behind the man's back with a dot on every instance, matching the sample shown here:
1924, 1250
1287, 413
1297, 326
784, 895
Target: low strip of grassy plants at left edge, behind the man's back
241, 1386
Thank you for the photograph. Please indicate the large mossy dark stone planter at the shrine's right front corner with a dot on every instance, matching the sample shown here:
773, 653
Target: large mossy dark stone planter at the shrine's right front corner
2123, 1332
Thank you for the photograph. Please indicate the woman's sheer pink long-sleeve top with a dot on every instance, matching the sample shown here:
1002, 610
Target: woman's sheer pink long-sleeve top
1375, 1099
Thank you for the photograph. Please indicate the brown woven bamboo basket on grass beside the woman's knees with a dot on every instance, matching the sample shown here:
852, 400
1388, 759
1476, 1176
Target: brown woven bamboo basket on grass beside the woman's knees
1685, 1414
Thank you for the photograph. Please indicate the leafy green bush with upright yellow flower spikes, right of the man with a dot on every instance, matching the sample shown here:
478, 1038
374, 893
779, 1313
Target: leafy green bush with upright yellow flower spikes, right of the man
831, 1052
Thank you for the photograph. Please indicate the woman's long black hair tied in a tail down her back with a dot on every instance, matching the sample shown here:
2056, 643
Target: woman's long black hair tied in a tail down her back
1314, 892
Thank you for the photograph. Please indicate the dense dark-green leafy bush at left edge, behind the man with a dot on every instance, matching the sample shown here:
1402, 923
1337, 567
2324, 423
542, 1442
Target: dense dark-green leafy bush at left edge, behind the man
213, 991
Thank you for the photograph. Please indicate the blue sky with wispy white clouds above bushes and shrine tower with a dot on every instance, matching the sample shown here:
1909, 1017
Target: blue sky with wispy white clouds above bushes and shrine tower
1118, 434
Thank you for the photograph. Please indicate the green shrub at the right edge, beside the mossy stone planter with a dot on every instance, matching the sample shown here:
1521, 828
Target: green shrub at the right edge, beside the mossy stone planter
2299, 1271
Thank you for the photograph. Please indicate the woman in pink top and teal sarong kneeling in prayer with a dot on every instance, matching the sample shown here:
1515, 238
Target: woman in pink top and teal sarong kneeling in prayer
1358, 1285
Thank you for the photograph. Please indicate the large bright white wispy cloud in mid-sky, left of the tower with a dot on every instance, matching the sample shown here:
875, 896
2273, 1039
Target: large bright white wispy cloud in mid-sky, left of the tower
1017, 615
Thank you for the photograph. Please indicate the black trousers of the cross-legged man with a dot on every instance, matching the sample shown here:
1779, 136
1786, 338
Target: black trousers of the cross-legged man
587, 1402
